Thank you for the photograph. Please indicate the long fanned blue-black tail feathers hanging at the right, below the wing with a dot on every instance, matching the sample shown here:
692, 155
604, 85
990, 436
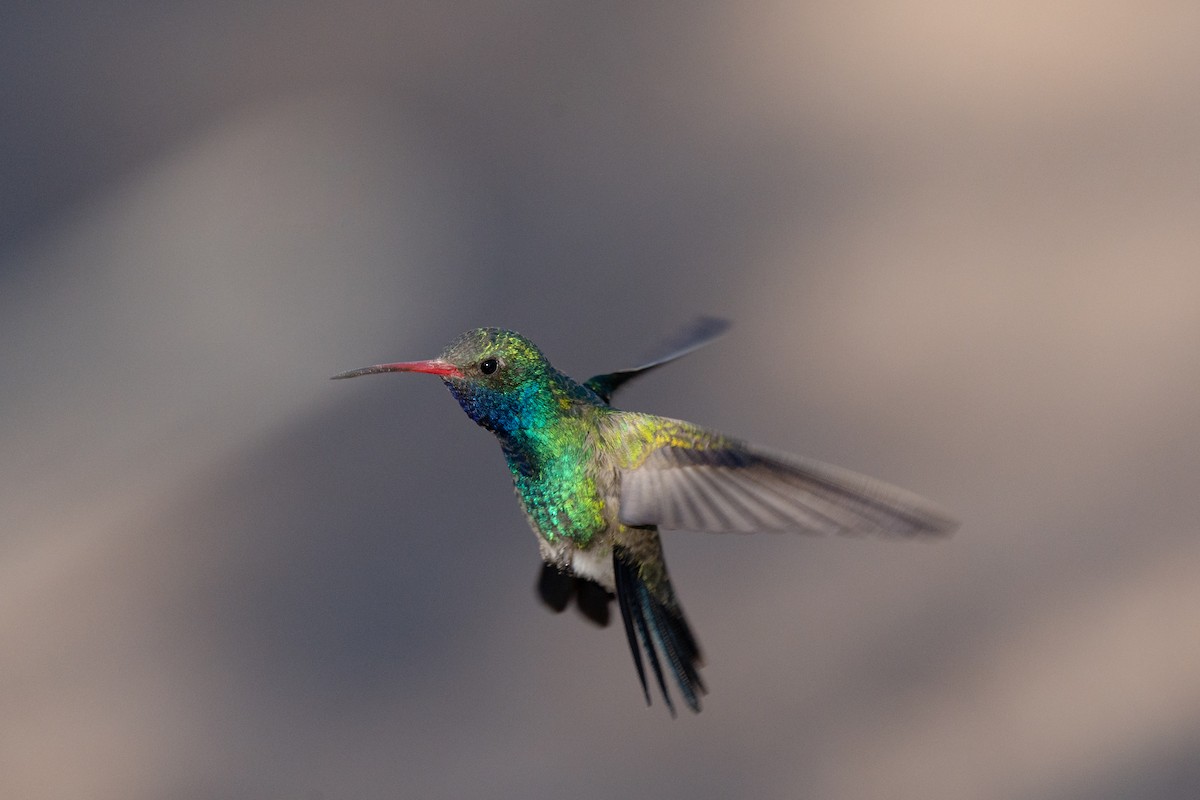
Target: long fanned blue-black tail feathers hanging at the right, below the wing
656, 623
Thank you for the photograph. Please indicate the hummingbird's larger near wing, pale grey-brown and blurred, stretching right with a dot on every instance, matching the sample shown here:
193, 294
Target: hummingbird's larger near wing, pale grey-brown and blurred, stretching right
740, 489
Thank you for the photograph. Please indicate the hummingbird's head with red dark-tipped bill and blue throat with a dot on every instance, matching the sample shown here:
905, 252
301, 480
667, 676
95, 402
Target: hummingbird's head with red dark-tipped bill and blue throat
501, 380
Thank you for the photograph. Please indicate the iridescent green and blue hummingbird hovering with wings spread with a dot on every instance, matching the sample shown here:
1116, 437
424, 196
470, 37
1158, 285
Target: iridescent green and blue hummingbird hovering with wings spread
598, 484
